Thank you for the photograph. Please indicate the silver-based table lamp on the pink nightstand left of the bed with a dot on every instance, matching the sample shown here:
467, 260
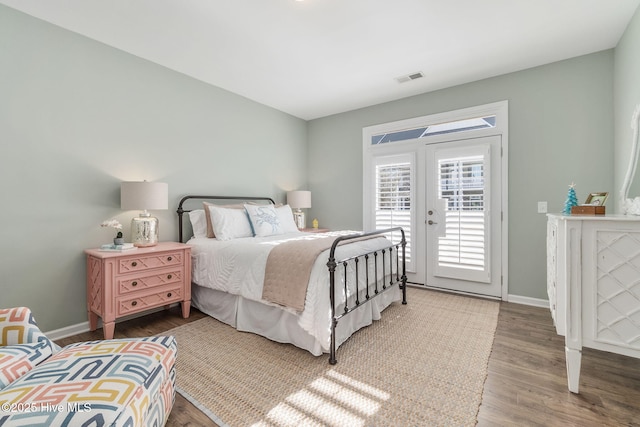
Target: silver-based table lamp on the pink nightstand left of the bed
144, 196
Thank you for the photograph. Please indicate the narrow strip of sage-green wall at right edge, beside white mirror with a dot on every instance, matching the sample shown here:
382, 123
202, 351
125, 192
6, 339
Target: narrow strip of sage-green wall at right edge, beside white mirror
627, 96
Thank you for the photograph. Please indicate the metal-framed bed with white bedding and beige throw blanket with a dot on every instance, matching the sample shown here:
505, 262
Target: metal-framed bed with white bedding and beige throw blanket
312, 290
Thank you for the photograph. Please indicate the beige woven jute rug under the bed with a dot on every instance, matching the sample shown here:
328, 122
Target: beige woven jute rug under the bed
422, 364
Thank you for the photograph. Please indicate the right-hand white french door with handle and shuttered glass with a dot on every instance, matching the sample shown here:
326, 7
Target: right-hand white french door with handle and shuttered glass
463, 215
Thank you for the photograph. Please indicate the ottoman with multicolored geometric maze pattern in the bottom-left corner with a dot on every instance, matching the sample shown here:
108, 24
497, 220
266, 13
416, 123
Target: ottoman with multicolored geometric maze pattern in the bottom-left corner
120, 382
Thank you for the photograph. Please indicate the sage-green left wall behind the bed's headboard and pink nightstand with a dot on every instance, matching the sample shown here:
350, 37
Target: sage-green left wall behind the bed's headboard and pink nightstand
76, 119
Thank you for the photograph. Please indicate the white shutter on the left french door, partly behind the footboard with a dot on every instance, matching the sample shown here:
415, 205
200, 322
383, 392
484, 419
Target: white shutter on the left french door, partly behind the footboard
394, 197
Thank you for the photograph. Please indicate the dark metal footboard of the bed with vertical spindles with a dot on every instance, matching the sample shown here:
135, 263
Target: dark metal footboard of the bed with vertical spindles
392, 273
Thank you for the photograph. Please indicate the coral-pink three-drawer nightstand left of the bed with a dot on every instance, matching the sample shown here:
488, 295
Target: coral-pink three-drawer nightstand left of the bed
132, 281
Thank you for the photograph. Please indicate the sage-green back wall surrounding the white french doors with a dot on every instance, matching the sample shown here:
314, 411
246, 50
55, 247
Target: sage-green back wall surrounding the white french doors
560, 131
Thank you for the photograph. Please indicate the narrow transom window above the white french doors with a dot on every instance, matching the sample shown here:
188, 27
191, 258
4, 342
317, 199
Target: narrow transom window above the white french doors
437, 129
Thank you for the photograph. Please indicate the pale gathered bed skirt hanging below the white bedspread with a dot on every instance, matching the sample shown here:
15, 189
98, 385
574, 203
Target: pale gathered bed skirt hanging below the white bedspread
282, 326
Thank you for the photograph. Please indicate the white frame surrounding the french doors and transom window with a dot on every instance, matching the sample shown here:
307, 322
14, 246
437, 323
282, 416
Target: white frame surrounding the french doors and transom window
501, 111
